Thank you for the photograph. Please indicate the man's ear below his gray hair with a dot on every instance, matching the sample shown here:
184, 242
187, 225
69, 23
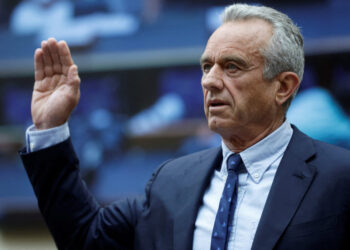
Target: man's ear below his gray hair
288, 84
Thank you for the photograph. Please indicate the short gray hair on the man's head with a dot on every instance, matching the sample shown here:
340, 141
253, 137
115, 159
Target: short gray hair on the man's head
284, 51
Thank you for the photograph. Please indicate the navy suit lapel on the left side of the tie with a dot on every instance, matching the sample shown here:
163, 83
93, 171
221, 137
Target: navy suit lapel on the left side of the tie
195, 181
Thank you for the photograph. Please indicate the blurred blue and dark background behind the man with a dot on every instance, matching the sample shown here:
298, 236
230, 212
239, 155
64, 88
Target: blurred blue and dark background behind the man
141, 100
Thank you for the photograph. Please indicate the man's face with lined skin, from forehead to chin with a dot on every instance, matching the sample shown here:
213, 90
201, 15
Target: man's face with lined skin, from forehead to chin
236, 97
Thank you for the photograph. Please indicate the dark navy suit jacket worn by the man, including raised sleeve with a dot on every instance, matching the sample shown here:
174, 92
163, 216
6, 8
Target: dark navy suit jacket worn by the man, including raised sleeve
307, 208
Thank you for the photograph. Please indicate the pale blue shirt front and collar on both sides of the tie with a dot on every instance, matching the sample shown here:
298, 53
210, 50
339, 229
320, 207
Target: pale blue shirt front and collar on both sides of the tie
261, 161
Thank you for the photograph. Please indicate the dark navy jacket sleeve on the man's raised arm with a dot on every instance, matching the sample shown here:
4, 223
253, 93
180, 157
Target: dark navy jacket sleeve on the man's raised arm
73, 216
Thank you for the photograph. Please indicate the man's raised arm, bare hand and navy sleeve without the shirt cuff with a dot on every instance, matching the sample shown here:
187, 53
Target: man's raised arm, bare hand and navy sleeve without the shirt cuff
73, 216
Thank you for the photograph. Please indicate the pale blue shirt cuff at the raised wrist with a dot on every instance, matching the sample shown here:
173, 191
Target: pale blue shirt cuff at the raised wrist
40, 139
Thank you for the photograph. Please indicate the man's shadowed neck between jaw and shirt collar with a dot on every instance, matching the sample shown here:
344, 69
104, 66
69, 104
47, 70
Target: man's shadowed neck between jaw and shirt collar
244, 138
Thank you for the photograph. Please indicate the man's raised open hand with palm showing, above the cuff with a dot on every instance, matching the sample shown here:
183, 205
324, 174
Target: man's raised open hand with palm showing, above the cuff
56, 88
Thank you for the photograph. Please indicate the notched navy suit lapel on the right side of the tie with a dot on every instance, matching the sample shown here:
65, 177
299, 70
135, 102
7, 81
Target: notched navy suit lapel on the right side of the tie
293, 178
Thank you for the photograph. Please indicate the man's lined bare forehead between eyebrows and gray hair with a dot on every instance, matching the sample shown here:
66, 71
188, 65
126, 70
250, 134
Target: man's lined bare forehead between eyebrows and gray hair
243, 38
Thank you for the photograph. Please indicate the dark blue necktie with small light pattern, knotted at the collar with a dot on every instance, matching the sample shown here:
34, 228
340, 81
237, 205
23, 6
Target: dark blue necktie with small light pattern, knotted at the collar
224, 216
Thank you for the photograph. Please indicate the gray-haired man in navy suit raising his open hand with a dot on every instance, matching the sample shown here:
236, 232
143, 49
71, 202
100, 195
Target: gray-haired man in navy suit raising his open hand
279, 188
